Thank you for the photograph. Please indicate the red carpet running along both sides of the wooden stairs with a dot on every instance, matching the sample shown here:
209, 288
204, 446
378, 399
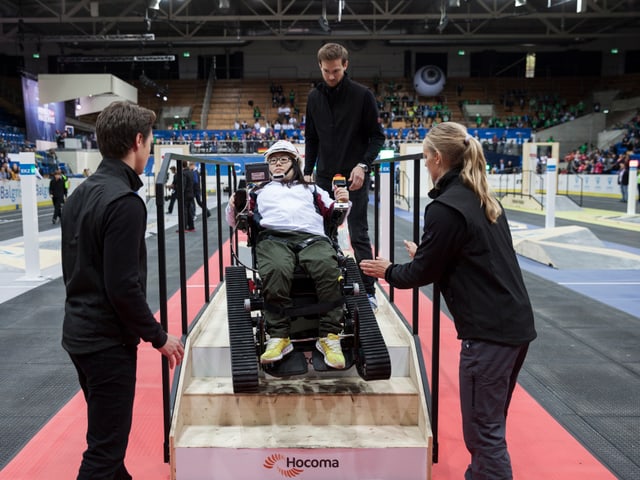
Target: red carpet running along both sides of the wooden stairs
540, 448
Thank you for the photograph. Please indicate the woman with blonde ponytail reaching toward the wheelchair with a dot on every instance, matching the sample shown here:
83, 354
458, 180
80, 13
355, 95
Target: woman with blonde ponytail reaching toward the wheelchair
467, 249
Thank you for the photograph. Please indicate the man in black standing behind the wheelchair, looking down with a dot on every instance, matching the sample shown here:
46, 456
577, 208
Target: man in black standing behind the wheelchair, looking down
343, 135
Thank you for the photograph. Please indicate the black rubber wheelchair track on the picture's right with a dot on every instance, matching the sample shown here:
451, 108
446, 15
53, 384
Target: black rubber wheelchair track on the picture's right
372, 361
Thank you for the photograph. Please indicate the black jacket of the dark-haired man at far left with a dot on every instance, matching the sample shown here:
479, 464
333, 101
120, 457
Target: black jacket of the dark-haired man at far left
104, 263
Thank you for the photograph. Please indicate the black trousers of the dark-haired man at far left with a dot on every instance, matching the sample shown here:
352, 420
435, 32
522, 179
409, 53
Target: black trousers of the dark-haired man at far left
108, 381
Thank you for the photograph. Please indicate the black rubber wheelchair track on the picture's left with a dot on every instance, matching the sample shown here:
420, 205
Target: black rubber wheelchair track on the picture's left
244, 365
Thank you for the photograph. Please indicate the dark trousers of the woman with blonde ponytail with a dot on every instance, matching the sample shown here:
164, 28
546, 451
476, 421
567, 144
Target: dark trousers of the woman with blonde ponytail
488, 375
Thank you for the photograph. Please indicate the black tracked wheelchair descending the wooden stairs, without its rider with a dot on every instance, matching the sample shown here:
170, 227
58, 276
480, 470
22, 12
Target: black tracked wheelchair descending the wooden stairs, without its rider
361, 339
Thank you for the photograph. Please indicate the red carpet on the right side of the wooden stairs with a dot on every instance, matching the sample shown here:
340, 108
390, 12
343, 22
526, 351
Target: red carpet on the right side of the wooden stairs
540, 448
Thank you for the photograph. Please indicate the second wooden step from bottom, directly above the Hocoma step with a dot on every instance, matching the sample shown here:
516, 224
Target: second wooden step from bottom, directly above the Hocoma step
342, 400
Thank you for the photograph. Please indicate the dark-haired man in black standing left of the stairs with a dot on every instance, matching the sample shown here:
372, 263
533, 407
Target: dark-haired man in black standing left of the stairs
104, 267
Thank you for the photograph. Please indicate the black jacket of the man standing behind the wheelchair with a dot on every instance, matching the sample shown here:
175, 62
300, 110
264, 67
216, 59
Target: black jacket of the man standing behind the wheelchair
342, 129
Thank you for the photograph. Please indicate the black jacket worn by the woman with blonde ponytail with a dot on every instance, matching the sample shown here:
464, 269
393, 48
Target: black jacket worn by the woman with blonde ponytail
474, 263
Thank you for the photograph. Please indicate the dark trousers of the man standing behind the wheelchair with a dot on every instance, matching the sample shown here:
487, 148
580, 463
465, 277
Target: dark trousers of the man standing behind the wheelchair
358, 223
